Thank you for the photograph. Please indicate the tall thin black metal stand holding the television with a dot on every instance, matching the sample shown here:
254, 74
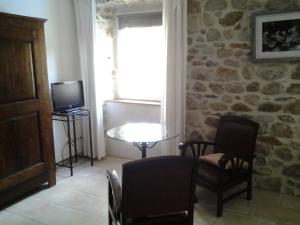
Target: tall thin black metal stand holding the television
72, 116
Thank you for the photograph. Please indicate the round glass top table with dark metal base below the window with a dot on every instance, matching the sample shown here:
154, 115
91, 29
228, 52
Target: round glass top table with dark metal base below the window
142, 135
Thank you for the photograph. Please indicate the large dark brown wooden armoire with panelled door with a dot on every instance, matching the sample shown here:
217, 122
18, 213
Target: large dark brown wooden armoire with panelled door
26, 141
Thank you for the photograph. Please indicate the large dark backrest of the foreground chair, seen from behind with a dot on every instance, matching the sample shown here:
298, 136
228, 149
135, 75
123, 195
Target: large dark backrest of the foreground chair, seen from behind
158, 185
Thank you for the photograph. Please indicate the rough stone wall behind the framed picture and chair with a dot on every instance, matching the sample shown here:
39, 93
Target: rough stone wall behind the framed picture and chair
222, 79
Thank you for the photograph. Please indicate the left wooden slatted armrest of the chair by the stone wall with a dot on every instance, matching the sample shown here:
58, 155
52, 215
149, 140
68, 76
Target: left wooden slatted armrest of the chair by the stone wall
198, 148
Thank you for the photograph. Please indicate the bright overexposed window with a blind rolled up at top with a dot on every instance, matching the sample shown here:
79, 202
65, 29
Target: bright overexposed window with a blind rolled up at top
140, 44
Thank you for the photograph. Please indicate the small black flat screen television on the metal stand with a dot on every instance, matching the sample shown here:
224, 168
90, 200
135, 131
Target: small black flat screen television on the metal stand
67, 96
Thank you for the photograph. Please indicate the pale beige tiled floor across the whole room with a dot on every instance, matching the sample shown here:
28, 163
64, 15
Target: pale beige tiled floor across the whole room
82, 199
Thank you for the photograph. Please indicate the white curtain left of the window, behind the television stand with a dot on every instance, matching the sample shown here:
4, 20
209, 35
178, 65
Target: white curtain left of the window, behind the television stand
85, 12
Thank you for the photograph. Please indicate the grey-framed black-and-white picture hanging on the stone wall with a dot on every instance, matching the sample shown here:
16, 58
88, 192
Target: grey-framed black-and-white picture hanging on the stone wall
276, 36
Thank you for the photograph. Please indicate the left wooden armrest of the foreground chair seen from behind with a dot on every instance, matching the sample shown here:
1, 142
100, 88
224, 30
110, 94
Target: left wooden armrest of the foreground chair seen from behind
115, 187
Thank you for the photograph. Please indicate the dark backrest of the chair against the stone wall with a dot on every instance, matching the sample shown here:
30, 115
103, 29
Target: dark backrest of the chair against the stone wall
236, 134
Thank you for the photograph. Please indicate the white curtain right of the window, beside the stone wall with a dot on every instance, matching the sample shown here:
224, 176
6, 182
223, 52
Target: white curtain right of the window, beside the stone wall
173, 102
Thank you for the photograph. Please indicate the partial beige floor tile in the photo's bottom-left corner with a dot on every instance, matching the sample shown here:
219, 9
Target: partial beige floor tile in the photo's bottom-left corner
7, 218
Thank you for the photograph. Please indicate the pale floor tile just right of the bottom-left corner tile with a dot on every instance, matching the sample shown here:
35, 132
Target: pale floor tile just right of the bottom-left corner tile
48, 213
